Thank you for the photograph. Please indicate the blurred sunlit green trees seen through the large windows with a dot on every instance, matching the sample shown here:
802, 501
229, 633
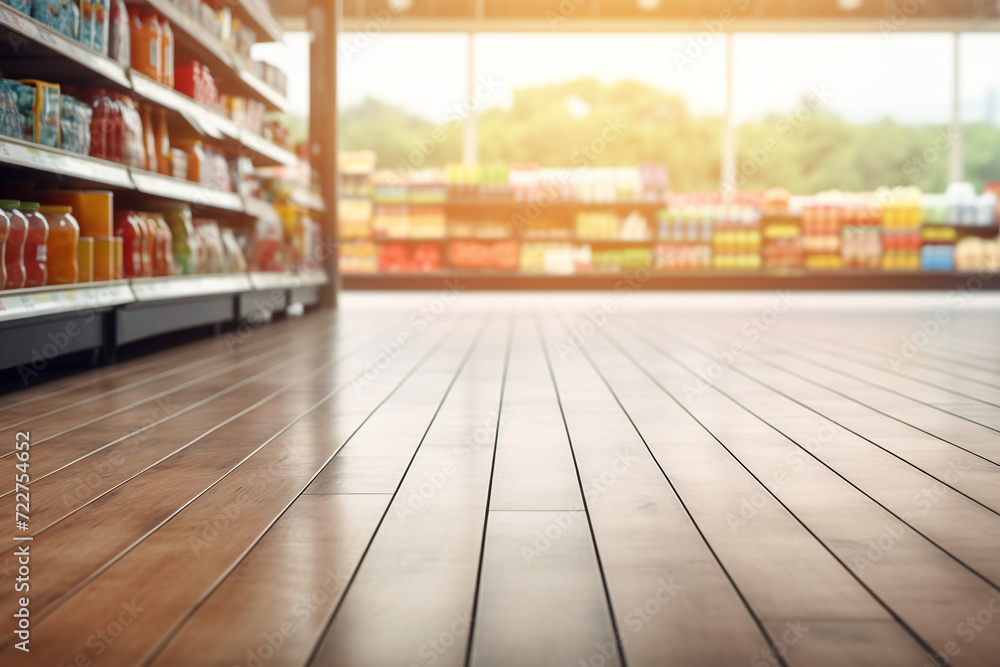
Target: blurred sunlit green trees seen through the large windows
626, 123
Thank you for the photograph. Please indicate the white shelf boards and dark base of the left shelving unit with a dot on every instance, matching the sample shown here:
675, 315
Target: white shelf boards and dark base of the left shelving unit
103, 316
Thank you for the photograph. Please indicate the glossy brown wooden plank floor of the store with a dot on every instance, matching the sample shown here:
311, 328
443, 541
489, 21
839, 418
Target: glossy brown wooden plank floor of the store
438, 479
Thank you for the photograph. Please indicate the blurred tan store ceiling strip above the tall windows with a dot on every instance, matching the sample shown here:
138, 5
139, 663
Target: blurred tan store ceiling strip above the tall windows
660, 15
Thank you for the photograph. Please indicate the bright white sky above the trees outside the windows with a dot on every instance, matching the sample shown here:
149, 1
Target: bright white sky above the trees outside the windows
864, 77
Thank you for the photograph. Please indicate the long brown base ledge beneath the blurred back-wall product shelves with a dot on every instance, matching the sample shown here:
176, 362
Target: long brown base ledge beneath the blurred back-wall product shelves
662, 280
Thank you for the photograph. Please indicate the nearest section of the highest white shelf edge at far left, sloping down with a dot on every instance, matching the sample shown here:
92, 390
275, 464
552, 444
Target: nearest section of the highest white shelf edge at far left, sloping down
16, 27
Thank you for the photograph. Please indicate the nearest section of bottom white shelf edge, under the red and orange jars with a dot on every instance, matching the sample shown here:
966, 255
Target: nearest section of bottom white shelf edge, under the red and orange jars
57, 299
